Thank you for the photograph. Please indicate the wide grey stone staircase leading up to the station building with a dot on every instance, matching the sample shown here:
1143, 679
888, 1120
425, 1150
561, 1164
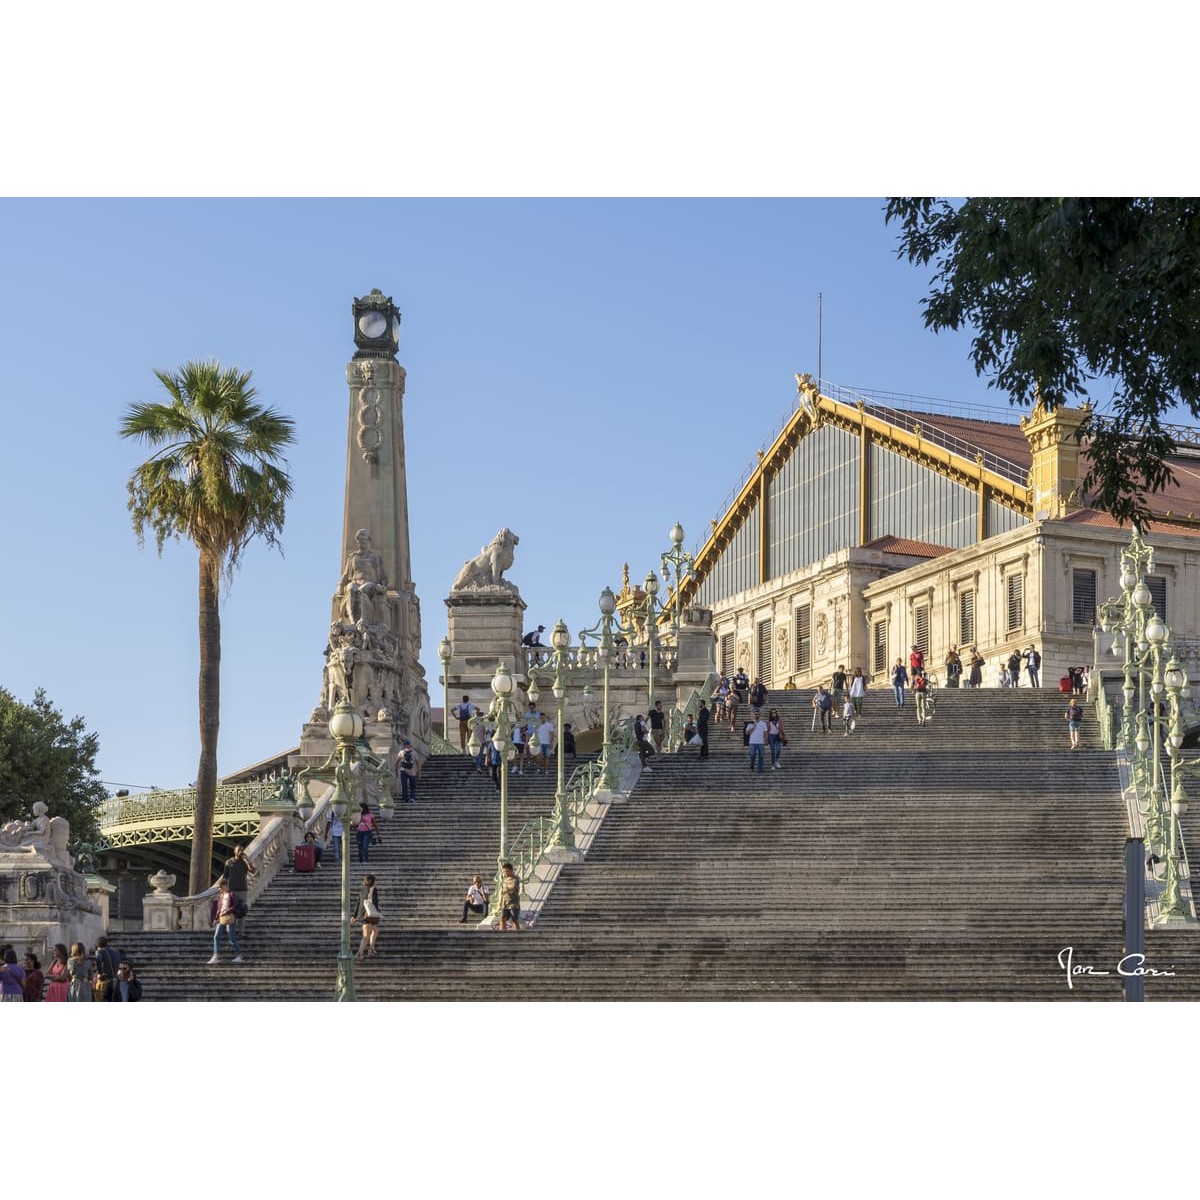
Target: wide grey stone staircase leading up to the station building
950, 862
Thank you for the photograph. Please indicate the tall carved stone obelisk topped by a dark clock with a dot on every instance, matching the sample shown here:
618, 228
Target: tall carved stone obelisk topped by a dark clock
375, 640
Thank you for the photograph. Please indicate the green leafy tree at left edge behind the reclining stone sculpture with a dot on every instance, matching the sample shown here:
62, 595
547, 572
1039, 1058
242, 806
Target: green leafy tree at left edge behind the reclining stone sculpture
46, 758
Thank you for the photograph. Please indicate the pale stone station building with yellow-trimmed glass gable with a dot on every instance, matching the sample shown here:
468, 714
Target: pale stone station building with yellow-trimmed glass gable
866, 530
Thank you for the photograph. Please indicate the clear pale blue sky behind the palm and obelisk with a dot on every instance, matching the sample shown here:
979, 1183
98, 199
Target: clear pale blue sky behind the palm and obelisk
586, 373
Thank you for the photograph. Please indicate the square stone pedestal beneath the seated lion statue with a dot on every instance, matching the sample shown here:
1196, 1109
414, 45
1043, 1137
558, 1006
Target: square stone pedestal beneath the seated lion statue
485, 631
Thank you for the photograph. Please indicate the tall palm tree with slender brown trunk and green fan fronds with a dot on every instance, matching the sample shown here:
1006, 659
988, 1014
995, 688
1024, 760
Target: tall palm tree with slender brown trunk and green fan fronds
218, 478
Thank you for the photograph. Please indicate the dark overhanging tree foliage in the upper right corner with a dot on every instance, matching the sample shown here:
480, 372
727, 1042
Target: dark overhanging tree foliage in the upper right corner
1071, 295
